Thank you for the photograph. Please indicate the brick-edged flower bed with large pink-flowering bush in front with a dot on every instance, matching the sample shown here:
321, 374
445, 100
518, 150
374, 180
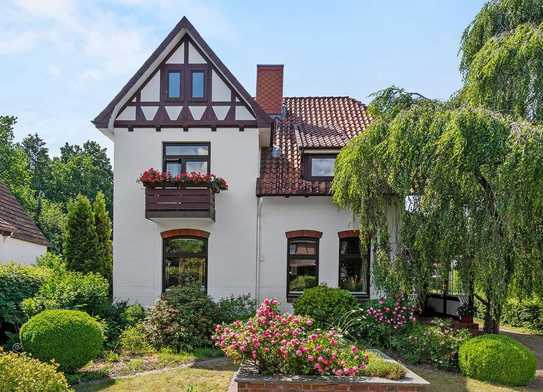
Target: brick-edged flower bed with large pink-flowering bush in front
285, 352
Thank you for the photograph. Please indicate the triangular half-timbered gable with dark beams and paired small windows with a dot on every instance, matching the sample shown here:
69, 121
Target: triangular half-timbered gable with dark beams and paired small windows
183, 84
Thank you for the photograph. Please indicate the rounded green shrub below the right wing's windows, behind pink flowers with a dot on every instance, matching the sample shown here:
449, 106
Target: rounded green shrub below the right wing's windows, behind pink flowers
325, 305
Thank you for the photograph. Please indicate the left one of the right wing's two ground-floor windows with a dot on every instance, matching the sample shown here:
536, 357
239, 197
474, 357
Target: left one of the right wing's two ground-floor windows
303, 264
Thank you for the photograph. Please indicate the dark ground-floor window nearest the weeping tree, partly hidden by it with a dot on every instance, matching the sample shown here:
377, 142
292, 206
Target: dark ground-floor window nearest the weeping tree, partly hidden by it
354, 267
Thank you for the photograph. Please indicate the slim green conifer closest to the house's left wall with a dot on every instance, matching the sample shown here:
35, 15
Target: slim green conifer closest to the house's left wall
102, 225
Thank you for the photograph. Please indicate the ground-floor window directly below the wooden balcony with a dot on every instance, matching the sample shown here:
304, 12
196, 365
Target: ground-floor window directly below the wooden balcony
184, 262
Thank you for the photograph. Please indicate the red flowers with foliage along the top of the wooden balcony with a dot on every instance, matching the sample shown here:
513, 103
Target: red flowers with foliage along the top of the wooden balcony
153, 178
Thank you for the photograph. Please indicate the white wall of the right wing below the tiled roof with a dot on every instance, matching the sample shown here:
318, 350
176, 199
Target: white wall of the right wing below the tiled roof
280, 215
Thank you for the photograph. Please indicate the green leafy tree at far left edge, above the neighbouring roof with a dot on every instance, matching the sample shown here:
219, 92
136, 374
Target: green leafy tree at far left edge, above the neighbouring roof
14, 167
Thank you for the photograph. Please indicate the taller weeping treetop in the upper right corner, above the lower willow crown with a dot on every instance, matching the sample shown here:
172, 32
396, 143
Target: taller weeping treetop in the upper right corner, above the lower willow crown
502, 59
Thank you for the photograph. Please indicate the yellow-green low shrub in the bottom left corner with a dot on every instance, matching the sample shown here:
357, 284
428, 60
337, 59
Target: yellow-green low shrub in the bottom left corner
19, 372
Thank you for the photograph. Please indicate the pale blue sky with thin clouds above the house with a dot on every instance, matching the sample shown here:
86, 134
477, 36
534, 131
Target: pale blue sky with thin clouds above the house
62, 61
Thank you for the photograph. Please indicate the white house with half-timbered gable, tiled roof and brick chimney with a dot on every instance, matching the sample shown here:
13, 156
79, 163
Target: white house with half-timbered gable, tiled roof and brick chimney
275, 231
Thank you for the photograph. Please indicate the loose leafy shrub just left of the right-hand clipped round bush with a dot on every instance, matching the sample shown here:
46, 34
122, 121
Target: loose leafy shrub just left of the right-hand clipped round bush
437, 344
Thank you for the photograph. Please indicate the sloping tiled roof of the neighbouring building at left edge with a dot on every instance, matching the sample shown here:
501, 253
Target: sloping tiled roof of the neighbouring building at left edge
15, 221
